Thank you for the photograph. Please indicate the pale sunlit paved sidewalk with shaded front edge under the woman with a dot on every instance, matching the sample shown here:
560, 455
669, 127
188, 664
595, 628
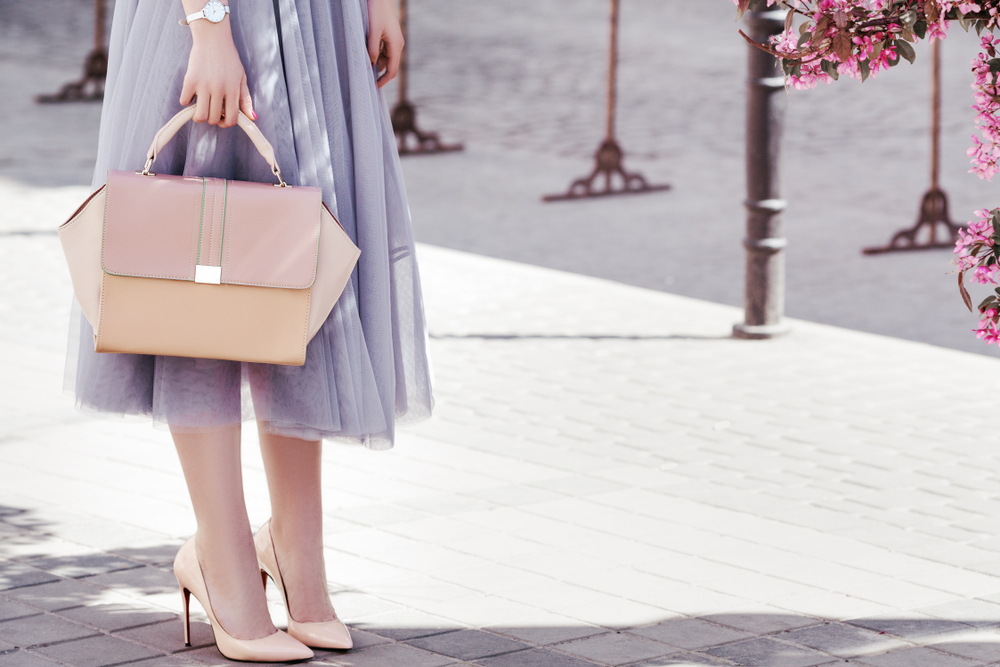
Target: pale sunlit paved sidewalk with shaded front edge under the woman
608, 479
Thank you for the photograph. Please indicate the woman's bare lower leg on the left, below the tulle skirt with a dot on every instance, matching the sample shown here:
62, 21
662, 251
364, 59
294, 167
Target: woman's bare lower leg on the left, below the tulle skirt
224, 542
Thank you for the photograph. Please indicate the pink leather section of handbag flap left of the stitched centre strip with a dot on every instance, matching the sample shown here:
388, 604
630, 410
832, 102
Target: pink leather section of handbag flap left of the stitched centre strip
151, 225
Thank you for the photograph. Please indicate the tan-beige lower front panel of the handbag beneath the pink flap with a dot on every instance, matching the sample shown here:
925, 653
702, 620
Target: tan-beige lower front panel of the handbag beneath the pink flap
186, 319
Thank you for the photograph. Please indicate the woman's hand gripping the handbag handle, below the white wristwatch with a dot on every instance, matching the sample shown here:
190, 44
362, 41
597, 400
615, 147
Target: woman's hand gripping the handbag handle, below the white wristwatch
215, 73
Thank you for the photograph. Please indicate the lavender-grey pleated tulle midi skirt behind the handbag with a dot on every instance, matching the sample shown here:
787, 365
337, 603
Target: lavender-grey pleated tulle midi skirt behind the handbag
315, 96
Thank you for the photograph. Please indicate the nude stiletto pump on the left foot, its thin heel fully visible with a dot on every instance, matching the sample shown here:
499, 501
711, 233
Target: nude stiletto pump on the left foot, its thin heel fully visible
278, 647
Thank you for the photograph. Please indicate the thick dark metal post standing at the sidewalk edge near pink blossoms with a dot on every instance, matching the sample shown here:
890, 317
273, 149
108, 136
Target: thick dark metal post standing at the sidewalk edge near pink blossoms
764, 296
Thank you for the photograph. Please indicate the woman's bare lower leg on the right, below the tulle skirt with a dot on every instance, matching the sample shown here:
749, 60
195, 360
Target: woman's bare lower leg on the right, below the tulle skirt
293, 479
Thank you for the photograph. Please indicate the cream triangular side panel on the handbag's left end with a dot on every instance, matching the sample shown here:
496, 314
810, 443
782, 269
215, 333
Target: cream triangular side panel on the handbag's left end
80, 237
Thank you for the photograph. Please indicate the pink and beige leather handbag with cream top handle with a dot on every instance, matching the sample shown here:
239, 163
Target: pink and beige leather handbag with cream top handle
206, 267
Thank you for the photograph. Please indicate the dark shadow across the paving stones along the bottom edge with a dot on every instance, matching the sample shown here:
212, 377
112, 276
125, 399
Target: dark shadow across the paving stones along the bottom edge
95, 608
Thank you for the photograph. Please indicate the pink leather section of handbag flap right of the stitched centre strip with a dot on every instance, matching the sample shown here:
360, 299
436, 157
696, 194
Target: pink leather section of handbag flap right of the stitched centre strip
271, 235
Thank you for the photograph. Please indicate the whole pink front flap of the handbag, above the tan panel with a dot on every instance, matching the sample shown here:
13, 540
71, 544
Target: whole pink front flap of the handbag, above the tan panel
164, 226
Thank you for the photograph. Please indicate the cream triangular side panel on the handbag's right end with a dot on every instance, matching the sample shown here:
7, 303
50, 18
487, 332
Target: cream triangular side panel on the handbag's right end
337, 257
